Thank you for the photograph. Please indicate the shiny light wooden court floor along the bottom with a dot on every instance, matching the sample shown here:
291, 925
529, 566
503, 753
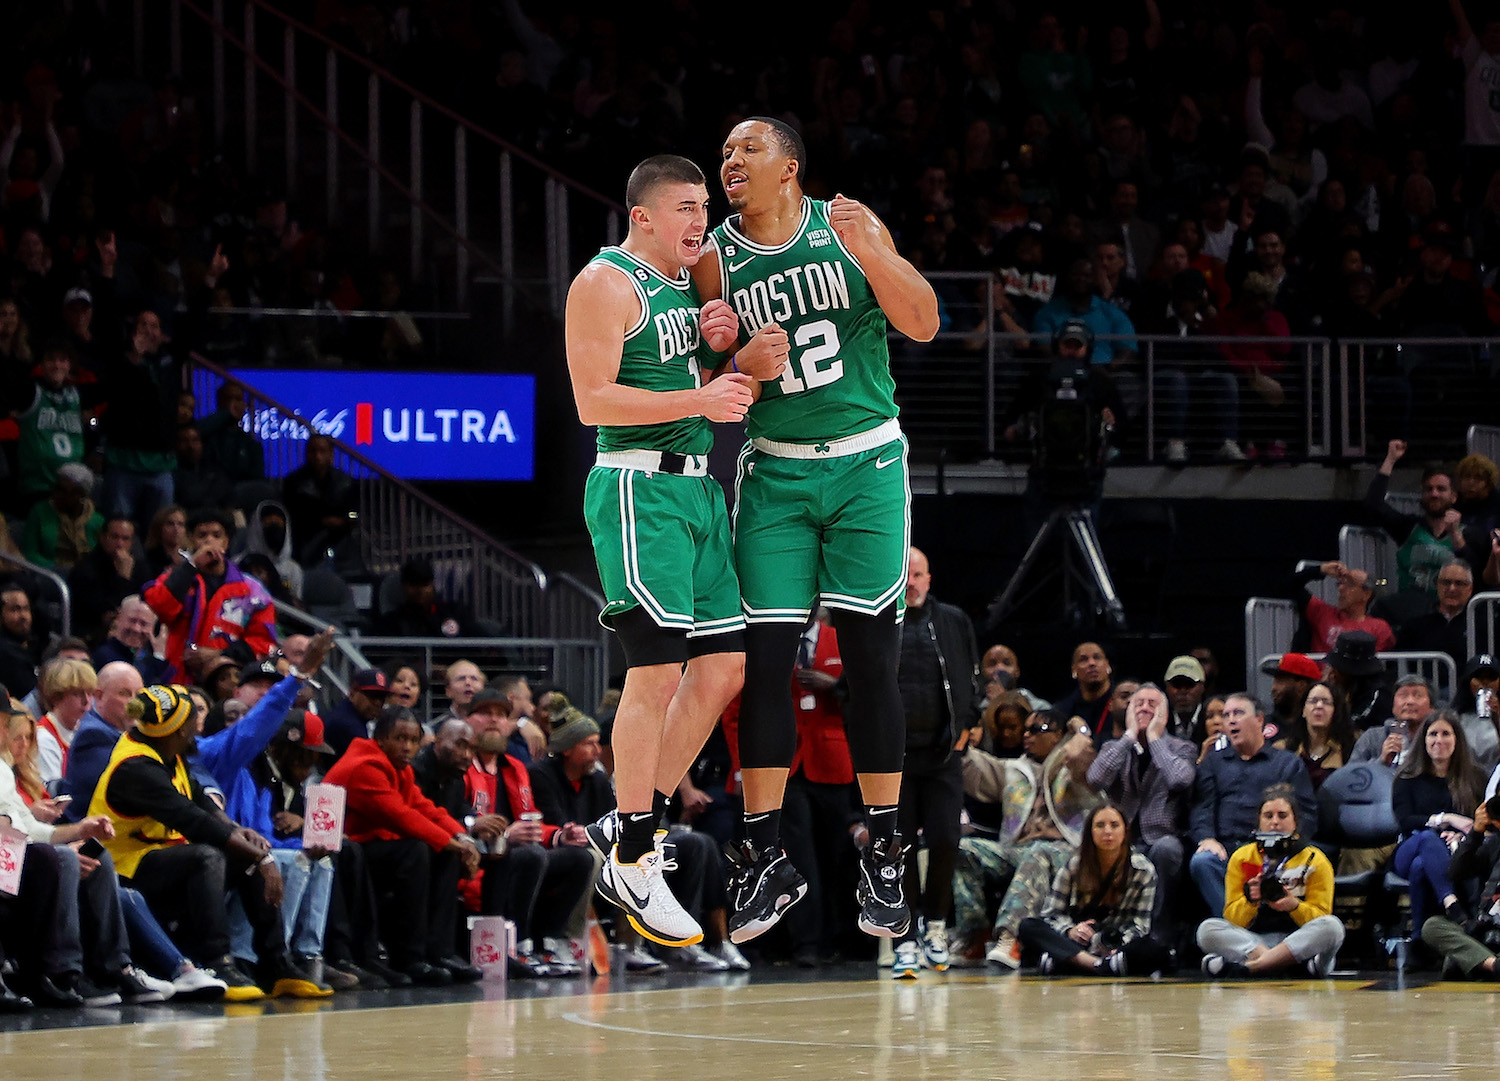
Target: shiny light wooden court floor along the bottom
959, 1025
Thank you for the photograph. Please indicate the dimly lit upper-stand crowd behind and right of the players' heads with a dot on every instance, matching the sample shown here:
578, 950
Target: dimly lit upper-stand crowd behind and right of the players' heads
1156, 167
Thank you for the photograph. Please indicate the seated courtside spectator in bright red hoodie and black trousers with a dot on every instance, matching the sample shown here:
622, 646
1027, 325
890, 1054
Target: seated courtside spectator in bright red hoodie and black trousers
413, 848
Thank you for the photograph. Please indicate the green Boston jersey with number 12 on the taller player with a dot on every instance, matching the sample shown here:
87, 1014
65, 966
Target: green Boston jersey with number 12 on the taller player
838, 380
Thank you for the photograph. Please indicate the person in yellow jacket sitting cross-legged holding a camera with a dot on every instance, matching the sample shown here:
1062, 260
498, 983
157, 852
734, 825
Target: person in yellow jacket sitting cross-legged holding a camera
1279, 909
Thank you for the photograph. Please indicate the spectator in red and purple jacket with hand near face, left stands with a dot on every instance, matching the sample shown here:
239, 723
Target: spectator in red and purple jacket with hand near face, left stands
208, 602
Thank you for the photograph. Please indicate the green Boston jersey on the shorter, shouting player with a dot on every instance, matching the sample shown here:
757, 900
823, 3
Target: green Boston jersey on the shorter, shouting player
661, 355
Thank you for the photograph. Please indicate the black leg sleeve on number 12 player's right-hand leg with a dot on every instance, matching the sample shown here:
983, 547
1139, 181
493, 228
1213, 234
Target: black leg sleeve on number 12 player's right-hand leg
871, 648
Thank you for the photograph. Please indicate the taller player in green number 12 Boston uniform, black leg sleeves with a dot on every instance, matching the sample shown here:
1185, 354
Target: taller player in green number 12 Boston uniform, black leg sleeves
823, 505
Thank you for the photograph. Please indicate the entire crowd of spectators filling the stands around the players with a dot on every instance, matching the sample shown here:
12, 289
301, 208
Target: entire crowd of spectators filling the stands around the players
1156, 170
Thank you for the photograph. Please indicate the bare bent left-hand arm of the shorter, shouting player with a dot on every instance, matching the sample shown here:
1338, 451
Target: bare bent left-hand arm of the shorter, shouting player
601, 307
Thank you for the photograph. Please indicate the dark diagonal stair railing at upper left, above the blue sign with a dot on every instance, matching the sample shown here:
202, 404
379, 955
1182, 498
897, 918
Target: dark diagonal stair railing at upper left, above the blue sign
430, 191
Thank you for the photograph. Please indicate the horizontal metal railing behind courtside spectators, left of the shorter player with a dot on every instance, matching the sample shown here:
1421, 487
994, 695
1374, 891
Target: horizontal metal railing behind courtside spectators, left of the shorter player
577, 666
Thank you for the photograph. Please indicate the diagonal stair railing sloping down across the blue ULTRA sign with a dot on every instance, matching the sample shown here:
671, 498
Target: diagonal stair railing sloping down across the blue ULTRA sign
397, 523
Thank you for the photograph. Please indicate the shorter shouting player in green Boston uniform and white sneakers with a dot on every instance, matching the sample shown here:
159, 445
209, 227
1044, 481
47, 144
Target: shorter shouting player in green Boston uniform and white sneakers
658, 520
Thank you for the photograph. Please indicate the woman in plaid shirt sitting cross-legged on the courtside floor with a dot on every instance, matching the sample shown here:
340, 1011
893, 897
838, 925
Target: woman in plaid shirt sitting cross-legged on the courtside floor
1097, 918
